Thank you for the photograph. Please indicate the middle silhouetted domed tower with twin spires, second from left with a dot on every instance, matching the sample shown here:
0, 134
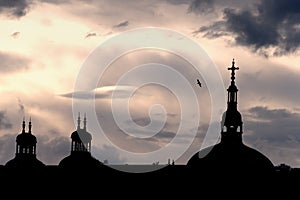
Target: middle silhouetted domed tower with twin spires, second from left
80, 149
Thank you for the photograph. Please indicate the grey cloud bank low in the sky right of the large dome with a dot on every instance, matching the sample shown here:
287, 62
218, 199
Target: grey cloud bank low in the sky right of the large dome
275, 132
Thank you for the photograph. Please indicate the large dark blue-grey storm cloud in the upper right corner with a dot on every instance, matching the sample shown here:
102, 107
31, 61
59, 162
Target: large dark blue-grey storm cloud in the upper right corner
271, 24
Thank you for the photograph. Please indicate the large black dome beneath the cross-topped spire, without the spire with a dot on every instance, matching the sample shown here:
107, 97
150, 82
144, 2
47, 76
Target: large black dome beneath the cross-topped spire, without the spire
229, 157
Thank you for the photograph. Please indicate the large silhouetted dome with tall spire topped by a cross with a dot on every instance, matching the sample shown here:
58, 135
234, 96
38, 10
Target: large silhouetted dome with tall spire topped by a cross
231, 154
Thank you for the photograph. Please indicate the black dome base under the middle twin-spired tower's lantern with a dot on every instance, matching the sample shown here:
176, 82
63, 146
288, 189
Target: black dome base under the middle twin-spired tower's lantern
80, 159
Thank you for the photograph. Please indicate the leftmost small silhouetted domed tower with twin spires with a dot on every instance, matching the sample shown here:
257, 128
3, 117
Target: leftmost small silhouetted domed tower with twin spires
25, 156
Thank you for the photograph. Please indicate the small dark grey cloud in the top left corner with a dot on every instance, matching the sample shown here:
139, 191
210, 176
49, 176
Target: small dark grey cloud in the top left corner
15, 8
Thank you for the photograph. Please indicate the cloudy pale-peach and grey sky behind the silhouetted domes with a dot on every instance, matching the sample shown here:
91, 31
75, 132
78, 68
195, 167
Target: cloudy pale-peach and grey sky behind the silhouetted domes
45, 46
